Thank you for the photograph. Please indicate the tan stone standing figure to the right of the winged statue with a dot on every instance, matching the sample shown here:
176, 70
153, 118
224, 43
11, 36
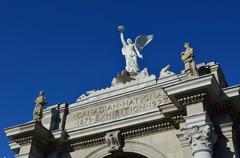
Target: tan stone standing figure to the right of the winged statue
187, 57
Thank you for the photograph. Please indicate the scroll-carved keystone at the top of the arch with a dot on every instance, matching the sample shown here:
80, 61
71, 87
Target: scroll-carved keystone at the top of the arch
114, 140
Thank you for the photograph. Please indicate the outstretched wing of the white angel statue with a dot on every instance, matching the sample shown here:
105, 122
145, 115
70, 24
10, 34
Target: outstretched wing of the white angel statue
142, 40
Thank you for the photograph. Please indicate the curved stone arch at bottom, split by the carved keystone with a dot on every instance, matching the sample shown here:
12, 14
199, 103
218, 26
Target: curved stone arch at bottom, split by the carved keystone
132, 148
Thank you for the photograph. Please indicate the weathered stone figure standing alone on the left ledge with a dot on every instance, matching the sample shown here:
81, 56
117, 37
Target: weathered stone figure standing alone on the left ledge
40, 101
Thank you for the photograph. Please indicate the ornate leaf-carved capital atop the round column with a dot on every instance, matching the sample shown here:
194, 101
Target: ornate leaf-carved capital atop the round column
200, 138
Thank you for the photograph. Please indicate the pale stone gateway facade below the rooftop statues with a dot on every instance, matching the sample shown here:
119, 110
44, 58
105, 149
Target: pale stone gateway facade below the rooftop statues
177, 116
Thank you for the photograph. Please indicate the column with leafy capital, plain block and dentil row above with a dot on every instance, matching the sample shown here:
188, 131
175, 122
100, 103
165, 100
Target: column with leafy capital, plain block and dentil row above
198, 132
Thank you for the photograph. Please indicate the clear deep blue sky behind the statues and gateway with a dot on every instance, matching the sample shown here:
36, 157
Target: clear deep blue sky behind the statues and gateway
69, 47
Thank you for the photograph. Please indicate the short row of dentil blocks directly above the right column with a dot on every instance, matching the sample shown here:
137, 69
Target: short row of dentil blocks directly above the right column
192, 99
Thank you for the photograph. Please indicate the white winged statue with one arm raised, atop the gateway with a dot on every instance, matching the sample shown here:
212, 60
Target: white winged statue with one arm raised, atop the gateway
132, 51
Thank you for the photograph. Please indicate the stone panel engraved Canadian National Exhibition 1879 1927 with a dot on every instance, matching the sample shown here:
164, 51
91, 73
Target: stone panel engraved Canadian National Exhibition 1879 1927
120, 108
